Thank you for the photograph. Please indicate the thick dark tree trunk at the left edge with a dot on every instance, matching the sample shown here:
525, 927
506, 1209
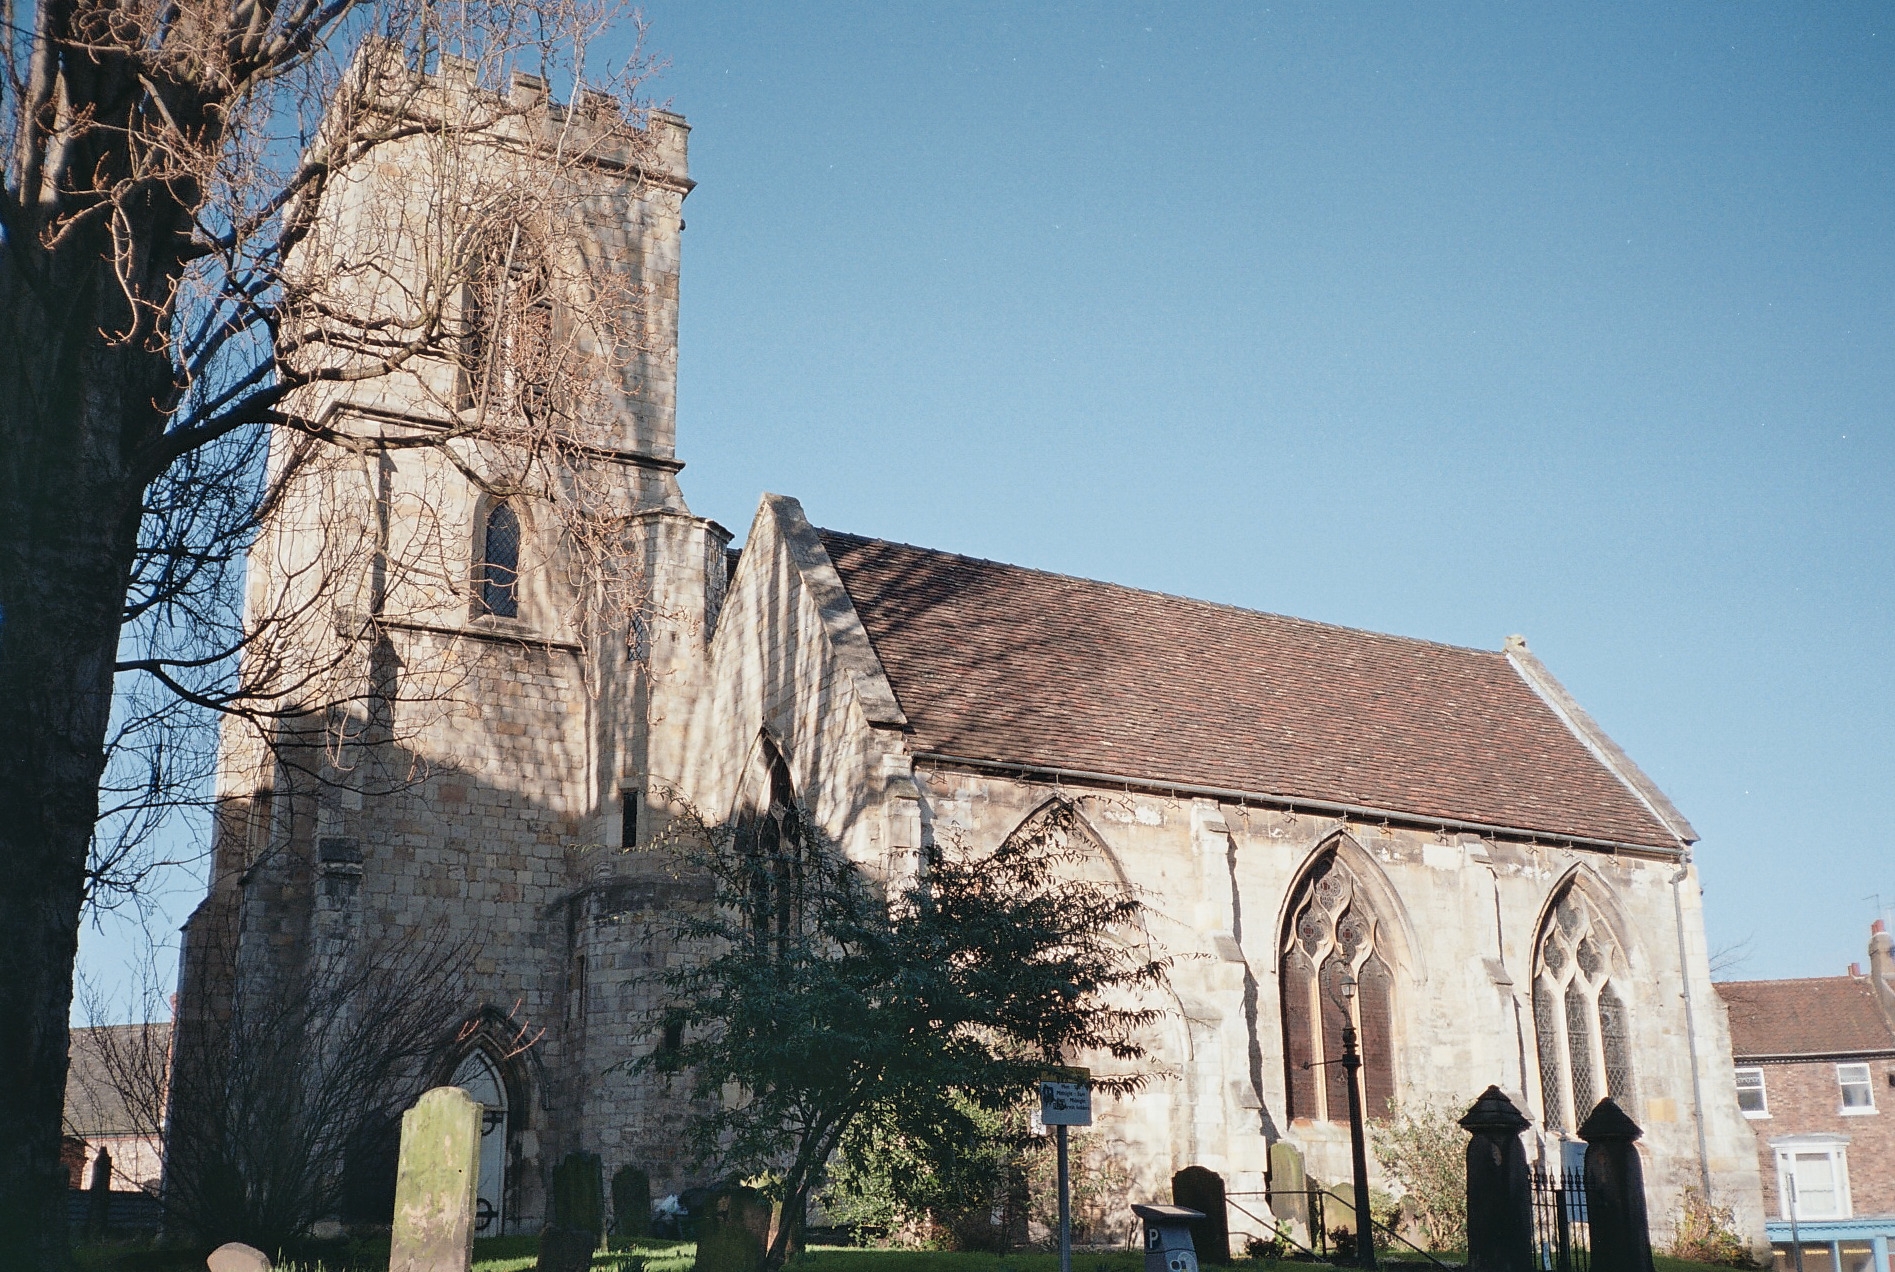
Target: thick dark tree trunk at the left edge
79, 416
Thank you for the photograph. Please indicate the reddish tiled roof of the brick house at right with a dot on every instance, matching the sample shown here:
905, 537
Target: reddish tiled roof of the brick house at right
1814, 1017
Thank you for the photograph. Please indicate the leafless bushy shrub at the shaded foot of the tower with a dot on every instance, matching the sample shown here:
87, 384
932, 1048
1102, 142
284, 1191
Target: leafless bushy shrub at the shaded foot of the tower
274, 1097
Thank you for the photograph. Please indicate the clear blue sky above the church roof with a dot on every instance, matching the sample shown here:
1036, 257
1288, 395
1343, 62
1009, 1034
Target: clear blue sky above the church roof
1449, 321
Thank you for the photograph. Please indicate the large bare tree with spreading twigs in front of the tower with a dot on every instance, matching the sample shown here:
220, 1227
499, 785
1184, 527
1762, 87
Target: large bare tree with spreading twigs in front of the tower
251, 259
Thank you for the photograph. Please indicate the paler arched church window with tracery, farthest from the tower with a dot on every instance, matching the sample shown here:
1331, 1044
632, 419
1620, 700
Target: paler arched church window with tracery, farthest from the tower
1579, 1013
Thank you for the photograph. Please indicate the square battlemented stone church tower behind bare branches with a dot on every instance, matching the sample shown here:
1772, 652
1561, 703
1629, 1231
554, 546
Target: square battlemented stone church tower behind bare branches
480, 797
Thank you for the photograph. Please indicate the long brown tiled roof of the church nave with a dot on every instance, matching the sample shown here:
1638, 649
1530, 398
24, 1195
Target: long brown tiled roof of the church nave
998, 663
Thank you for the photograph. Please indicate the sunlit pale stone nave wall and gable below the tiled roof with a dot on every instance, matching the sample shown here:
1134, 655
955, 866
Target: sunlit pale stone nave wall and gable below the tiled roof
1460, 915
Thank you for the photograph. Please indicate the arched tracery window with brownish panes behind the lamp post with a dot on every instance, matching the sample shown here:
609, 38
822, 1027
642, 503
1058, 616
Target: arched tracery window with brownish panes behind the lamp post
1335, 936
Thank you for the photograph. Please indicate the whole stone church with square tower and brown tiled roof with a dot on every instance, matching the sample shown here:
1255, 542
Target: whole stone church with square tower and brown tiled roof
1303, 805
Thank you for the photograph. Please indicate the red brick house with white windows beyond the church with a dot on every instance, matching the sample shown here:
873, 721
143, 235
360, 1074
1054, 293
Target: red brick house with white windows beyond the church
1814, 1066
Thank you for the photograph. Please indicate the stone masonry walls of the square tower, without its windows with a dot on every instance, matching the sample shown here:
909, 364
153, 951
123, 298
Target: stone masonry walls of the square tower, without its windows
480, 807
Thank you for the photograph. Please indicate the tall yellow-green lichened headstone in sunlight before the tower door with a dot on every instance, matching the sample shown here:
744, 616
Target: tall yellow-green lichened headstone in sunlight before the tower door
437, 1184
